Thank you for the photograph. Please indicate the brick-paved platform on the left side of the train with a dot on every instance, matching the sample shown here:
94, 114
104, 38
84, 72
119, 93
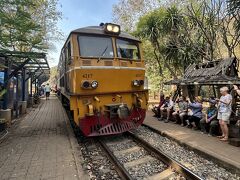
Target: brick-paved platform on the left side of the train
41, 145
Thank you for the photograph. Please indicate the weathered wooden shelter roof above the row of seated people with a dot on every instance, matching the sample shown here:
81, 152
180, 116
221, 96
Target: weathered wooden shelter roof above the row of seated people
222, 71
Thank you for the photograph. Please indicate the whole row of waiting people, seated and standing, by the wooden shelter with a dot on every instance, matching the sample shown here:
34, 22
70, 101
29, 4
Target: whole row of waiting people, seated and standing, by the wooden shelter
192, 114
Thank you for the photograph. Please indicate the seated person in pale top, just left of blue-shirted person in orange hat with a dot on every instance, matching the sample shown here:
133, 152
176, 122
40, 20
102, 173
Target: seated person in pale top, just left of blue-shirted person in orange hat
180, 110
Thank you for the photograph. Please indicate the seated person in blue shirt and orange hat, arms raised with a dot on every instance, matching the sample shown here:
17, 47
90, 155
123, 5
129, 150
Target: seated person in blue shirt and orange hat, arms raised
196, 108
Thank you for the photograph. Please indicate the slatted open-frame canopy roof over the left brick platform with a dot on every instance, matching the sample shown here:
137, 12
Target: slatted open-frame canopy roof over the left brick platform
34, 63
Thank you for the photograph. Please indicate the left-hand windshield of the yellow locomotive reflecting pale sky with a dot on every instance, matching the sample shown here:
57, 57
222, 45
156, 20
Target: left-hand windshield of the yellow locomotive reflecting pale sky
93, 46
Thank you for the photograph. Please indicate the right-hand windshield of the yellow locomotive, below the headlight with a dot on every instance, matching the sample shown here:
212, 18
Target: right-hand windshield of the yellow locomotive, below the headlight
127, 49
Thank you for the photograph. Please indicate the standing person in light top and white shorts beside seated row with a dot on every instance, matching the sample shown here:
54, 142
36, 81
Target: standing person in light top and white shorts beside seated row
224, 112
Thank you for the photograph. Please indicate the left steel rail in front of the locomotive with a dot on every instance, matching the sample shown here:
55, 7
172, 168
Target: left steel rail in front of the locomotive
123, 173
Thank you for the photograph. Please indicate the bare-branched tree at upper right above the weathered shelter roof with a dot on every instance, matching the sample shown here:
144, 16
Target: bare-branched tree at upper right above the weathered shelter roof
214, 23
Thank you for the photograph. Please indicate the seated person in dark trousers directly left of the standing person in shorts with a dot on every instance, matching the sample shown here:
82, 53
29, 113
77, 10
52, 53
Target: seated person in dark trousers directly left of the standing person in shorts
209, 119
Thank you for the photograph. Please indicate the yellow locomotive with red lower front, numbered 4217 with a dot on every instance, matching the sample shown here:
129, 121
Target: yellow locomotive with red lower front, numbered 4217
101, 78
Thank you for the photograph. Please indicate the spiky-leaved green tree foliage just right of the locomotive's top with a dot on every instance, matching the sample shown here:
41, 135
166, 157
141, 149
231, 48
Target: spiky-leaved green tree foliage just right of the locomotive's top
165, 28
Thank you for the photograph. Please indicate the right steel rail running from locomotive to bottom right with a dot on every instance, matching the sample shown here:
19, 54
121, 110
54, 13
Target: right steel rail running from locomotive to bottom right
187, 173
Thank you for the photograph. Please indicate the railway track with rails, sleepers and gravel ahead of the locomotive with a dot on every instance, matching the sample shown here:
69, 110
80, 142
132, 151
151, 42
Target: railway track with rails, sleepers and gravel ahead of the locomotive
135, 158
